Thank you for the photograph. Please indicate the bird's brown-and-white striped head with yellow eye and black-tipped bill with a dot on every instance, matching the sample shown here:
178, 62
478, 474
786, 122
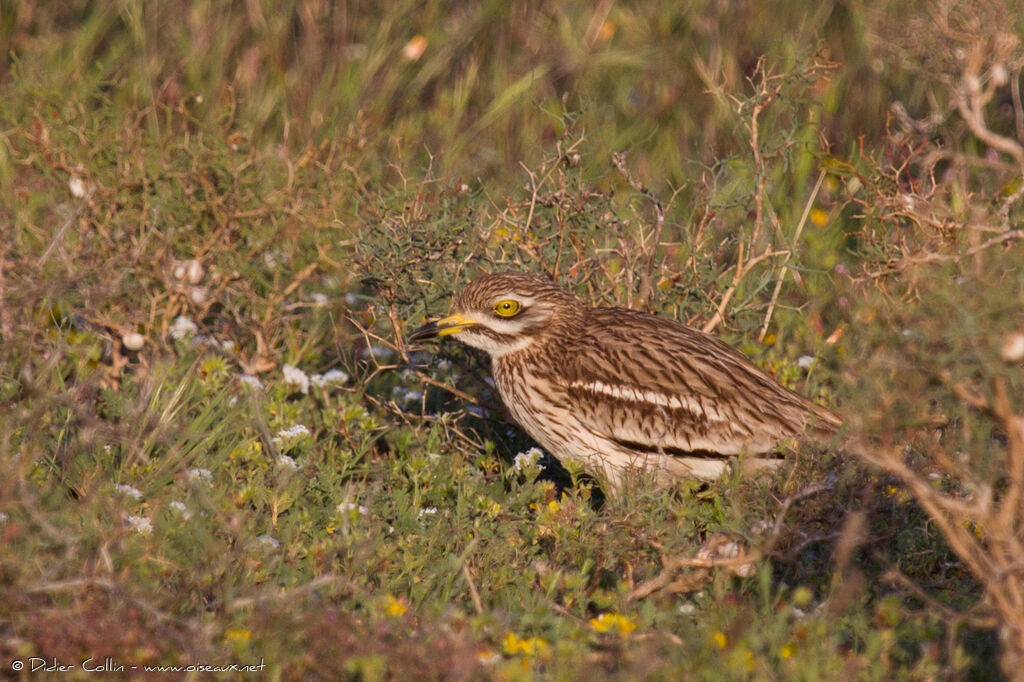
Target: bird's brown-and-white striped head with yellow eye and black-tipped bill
504, 313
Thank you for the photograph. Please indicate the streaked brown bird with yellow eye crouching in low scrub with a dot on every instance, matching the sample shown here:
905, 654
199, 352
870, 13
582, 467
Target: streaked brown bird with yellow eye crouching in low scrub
620, 392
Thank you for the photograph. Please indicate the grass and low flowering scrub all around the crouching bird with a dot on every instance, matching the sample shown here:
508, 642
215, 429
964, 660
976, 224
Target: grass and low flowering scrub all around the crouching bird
219, 221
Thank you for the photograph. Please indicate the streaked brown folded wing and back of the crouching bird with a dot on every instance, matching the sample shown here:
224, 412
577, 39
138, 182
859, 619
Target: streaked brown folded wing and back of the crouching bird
655, 386
